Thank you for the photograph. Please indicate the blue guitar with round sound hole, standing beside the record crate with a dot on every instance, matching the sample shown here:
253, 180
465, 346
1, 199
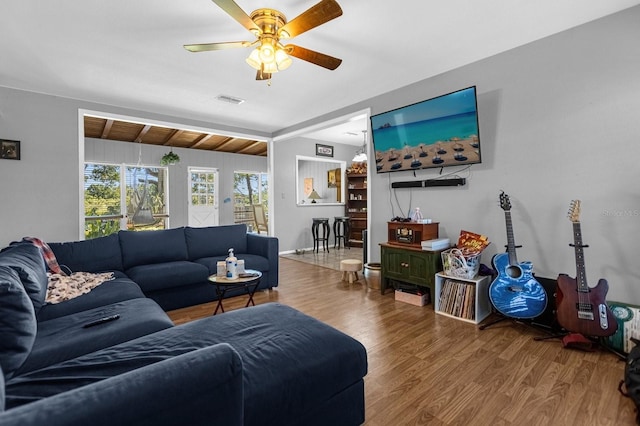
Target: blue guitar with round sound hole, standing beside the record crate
515, 292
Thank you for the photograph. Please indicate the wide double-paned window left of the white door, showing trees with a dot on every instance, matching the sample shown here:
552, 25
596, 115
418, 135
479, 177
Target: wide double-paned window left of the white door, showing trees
114, 192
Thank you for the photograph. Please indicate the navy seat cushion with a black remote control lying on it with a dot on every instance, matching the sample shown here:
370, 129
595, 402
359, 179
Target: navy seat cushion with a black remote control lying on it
65, 337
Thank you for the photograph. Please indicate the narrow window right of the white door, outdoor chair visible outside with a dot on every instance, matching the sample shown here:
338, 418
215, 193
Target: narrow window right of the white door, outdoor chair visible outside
249, 188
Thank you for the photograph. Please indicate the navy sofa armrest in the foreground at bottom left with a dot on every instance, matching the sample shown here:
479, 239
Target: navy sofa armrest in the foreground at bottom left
201, 387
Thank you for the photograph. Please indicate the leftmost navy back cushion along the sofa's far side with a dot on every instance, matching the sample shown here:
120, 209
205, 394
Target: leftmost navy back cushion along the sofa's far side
95, 255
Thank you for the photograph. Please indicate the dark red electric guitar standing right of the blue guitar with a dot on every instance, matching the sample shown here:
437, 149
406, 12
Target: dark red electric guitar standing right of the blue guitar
581, 309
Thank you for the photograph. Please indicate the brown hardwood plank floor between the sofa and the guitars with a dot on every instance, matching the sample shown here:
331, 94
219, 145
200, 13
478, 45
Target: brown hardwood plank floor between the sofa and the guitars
429, 369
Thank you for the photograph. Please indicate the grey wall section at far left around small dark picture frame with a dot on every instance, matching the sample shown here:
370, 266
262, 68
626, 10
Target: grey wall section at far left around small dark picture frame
39, 193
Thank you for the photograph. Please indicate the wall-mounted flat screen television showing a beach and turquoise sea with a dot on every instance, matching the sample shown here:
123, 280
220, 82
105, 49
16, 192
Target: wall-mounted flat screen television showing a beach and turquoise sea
437, 132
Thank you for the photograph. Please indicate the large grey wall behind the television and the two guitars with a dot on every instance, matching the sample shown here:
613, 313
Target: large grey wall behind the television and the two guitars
559, 120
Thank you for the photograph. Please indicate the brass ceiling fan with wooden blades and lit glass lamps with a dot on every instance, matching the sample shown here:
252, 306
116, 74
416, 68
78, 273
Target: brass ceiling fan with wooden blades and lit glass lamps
270, 26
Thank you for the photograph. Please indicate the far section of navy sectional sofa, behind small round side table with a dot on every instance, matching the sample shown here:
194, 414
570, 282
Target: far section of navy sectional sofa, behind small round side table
172, 266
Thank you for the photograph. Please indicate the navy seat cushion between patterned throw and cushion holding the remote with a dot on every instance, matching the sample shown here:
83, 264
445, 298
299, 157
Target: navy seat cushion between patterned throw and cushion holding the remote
113, 291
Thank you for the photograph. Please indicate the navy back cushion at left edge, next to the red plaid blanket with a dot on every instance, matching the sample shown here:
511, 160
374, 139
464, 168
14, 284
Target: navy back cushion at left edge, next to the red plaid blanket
27, 260
